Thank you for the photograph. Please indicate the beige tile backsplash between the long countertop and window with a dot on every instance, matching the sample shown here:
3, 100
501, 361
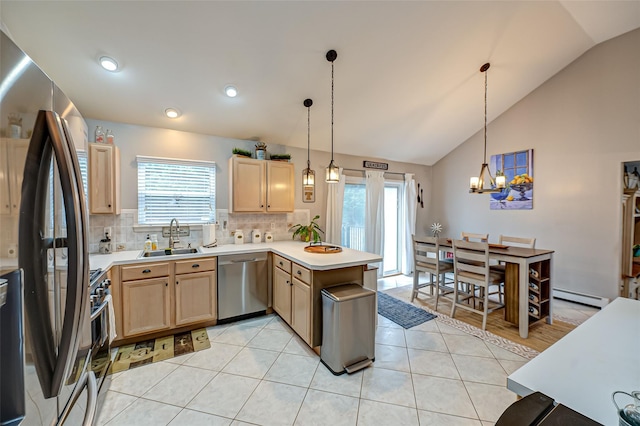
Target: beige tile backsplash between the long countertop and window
127, 235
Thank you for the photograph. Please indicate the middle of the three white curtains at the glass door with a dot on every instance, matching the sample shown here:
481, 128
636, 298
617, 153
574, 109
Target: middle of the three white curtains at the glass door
374, 214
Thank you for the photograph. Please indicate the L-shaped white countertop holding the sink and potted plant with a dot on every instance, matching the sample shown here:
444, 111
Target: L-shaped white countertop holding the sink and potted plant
292, 250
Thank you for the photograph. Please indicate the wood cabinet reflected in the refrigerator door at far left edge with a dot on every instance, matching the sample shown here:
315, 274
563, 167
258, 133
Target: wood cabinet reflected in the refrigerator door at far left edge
13, 153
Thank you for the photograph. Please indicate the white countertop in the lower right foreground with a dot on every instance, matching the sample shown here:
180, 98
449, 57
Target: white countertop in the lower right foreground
585, 367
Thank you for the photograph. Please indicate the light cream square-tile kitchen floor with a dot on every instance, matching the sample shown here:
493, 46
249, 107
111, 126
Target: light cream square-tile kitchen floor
258, 371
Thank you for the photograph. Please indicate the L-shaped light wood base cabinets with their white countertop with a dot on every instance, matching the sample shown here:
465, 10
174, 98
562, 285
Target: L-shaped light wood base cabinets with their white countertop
158, 312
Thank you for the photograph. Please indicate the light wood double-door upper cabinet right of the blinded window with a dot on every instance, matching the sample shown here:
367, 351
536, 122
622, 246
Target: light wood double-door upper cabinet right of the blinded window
260, 186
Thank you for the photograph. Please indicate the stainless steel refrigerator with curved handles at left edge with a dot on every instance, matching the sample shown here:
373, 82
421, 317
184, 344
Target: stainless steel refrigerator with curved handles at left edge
45, 333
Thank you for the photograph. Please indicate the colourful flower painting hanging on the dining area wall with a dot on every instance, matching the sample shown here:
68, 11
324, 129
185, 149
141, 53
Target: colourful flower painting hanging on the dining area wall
517, 167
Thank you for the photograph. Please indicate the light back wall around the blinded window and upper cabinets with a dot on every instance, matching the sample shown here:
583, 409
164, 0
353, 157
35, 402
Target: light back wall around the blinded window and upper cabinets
140, 140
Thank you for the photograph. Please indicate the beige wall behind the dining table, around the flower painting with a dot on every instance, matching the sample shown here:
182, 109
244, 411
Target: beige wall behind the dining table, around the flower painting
582, 124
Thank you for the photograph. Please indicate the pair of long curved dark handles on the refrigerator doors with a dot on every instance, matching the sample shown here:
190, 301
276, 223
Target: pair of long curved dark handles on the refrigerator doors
53, 360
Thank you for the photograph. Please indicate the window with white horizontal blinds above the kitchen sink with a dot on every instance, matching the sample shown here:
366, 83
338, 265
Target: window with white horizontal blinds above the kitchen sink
168, 188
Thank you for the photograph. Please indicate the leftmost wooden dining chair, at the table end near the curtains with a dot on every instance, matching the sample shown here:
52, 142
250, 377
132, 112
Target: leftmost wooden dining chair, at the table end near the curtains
426, 254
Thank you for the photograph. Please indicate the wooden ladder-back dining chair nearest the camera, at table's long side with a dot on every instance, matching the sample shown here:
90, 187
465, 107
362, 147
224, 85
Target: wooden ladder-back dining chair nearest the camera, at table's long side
472, 278
